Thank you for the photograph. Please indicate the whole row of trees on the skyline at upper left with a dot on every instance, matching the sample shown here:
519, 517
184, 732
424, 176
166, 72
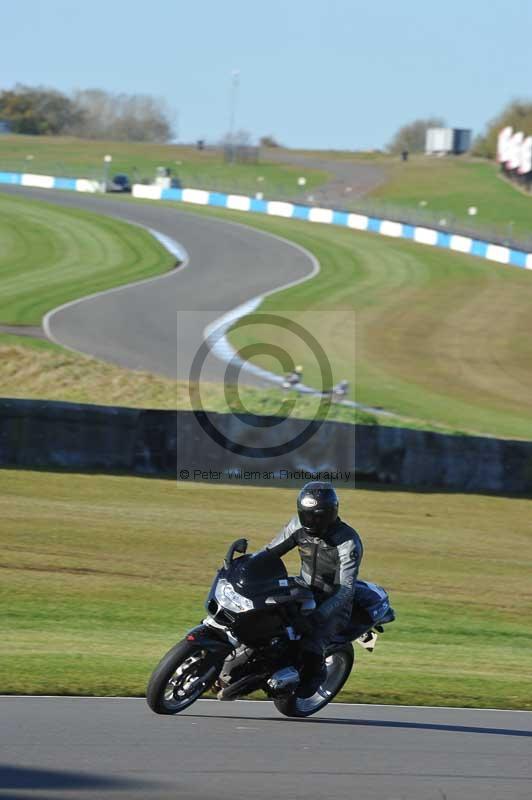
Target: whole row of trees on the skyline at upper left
87, 113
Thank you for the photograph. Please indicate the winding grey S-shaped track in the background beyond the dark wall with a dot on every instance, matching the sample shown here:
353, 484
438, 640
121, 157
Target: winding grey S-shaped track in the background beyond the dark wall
136, 326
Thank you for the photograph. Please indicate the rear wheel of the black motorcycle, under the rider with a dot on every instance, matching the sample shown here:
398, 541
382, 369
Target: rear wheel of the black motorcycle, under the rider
338, 666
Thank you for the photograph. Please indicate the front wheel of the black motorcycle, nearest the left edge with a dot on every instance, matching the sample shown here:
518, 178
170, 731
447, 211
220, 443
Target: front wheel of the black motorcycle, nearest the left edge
185, 673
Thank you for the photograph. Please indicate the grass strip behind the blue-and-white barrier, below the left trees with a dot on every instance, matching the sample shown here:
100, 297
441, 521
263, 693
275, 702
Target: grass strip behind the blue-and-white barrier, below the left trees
78, 158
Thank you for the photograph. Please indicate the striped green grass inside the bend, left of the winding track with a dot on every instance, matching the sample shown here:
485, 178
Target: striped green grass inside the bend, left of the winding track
50, 255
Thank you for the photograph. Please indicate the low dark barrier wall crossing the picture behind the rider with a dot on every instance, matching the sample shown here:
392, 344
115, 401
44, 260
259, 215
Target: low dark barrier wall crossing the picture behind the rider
38, 434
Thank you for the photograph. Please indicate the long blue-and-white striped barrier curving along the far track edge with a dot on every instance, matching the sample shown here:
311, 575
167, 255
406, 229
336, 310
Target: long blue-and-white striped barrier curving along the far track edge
327, 216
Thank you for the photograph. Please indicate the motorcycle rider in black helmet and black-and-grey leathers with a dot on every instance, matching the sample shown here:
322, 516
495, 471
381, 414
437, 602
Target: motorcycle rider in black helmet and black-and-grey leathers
330, 552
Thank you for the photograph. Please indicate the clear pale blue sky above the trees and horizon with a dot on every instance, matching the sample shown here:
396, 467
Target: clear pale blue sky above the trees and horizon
321, 74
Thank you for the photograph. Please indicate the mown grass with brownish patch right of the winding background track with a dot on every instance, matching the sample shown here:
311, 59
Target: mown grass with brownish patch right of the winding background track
442, 339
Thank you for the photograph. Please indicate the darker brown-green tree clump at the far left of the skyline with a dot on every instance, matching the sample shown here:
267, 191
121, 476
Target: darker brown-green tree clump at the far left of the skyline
37, 110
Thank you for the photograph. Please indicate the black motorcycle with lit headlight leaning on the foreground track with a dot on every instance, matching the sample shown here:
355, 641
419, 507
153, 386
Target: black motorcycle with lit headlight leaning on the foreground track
250, 639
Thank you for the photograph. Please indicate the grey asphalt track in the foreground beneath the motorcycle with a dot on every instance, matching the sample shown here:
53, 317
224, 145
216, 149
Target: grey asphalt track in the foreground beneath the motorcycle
70, 748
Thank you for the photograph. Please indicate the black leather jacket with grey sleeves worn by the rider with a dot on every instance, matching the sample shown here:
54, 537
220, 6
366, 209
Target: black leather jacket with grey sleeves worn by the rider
329, 565
